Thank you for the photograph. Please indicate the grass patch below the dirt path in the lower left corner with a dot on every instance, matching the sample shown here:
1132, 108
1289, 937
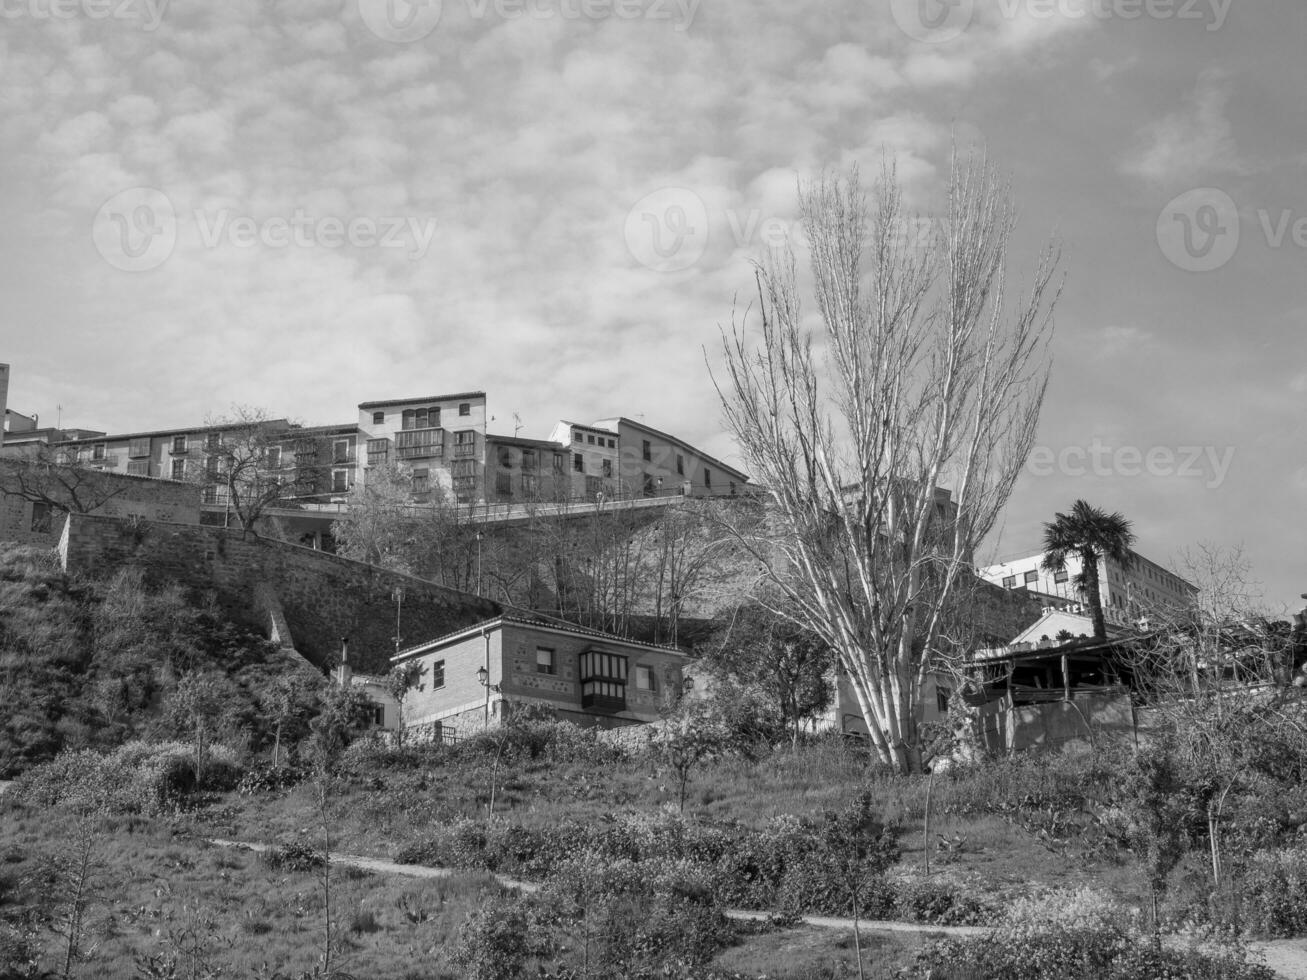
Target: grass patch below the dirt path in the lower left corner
155, 892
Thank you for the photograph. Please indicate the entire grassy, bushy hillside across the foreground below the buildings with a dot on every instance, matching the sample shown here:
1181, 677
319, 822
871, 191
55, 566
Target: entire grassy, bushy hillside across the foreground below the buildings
146, 728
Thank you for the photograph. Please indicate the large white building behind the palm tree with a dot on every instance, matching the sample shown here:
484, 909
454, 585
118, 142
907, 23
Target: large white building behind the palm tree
1127, 593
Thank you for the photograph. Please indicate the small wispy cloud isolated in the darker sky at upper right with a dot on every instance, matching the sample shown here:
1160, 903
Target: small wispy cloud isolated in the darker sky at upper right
1191, 146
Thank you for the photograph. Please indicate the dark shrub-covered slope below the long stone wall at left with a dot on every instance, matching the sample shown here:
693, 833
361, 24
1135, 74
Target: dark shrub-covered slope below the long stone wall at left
92, 664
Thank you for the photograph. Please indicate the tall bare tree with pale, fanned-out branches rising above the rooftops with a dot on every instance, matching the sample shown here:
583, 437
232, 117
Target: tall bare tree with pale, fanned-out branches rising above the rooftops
927, 378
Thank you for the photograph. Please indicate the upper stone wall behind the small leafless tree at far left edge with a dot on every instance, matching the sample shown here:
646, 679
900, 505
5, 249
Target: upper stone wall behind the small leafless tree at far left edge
118, 496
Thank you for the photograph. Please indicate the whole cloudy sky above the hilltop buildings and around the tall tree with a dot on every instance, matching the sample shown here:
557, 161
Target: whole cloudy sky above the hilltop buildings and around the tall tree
313, 203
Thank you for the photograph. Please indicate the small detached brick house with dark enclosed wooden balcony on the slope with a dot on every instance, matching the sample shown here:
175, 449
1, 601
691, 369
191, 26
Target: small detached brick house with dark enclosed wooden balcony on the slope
470, 680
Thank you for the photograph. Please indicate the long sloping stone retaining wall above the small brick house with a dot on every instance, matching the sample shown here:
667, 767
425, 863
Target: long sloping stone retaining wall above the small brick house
323, 598
